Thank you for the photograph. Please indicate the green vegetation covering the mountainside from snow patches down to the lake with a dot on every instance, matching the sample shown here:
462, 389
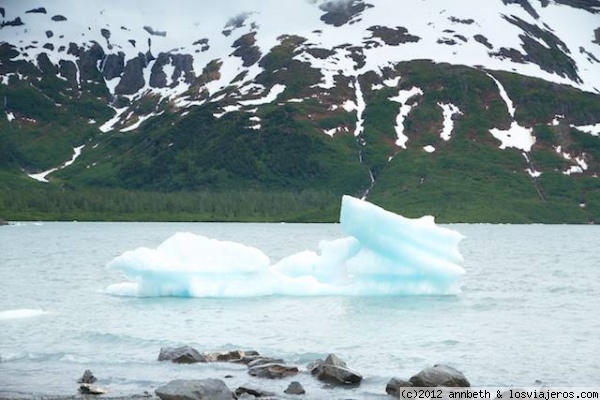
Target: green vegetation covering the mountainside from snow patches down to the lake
197, 167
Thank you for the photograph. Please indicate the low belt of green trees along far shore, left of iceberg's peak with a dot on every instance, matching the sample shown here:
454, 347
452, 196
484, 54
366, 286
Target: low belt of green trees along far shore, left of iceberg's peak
52, 203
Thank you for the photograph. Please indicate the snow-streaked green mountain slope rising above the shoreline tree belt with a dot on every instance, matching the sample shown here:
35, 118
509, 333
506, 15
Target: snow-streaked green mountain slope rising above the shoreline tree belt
465, 113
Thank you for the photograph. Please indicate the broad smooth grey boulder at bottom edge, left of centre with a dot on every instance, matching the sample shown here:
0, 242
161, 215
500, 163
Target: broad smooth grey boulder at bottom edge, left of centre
195, 389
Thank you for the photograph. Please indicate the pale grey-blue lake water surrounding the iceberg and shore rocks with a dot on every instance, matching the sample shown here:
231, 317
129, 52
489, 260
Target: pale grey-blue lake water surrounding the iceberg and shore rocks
529, 312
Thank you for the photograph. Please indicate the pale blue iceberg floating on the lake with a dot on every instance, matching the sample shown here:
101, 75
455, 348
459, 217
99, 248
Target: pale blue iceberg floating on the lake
383, 254
